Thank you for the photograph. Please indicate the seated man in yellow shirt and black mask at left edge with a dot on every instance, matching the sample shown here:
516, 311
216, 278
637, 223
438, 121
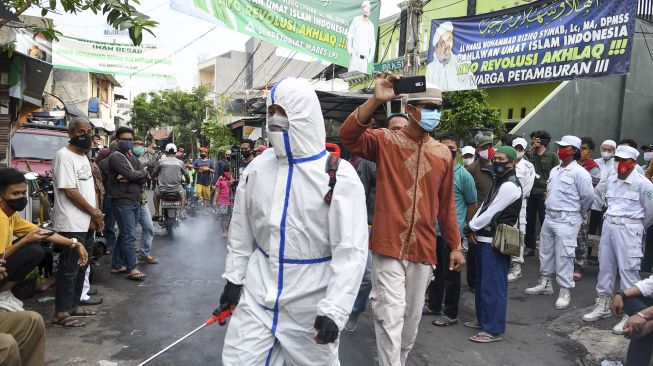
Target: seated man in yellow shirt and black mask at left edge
26, 252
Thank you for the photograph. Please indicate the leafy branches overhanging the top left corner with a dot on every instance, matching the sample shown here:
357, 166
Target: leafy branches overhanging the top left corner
120, 14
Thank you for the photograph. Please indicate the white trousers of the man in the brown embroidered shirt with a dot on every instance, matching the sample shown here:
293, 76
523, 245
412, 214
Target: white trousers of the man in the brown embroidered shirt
398, 289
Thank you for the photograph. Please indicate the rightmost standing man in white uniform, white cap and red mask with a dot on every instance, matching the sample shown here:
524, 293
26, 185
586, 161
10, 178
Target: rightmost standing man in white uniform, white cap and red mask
629, 197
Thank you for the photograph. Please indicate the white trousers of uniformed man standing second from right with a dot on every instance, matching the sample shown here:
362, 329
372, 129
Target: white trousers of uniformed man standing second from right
558, 240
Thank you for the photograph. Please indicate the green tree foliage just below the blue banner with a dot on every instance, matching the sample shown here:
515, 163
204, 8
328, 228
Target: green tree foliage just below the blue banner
470, 110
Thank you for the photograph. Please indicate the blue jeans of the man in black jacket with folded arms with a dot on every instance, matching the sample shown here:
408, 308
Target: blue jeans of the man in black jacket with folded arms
125, 251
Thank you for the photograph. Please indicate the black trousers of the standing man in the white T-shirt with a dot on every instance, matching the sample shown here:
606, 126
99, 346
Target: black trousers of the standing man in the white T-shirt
70, 275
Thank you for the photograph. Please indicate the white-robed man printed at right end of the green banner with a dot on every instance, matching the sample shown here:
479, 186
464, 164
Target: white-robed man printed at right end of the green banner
361, 43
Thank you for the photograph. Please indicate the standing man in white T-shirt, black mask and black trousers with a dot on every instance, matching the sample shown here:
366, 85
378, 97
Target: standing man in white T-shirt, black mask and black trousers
74, 215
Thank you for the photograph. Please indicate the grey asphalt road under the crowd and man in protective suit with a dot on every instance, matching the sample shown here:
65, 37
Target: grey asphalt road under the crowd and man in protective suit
137, 319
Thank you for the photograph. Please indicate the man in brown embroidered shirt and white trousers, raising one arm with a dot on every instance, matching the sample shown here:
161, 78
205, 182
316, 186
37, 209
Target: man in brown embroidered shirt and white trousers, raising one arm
415, 179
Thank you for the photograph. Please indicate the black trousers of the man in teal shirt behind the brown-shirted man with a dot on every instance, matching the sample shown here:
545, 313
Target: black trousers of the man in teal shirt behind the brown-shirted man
446, 284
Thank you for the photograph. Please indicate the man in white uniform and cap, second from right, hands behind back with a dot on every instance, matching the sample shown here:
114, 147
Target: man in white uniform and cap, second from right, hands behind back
569, 194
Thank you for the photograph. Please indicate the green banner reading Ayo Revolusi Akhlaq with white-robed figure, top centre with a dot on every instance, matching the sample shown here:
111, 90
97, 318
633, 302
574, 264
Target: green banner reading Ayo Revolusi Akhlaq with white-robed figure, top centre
338, 31
